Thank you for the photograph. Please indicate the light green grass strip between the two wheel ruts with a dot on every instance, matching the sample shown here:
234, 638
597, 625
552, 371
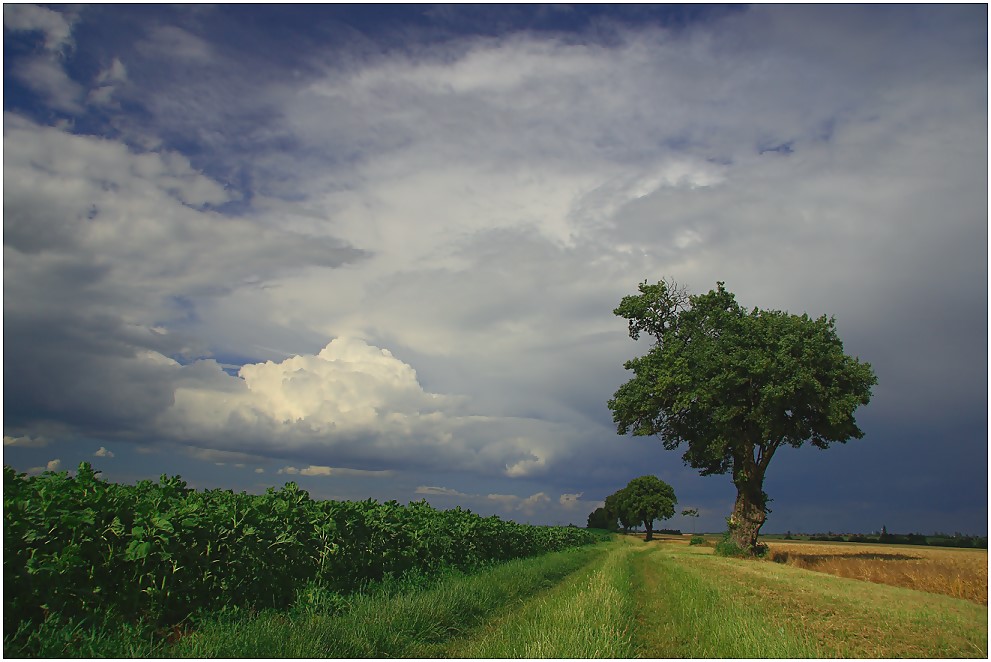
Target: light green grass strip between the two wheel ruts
588, 615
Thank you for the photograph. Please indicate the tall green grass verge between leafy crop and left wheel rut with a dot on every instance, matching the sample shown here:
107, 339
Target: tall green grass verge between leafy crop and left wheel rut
389, 622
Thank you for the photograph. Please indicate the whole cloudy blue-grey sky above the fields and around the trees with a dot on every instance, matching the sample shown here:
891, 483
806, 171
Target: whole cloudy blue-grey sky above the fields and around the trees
376, 250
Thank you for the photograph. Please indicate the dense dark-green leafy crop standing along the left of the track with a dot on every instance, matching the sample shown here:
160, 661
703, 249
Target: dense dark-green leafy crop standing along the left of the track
78, 547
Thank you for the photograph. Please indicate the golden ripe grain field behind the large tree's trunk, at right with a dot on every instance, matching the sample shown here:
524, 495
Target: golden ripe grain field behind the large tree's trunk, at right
961, 573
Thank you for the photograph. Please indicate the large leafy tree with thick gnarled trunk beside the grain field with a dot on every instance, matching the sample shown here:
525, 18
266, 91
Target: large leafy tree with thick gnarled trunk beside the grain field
733, 386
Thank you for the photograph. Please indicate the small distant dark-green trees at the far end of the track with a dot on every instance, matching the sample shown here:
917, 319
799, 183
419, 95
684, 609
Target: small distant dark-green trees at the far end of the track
642, 501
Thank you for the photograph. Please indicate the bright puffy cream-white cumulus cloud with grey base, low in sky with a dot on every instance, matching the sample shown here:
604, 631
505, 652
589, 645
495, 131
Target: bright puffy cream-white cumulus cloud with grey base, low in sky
353, 402
